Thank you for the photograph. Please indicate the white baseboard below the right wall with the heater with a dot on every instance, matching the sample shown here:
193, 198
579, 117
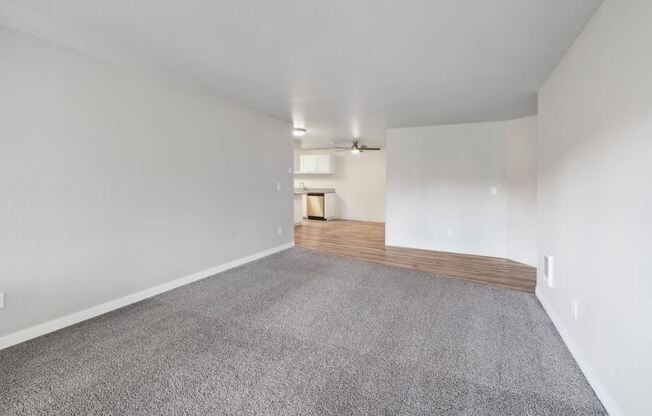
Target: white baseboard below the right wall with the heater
597, 385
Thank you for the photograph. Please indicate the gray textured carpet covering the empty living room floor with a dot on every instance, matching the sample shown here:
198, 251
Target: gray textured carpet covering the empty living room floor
305, 333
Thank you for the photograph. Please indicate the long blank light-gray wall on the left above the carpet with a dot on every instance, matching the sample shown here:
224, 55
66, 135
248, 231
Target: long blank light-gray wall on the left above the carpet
113, 181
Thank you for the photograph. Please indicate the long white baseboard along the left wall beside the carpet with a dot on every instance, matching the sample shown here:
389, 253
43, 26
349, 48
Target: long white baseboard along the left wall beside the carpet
74, 318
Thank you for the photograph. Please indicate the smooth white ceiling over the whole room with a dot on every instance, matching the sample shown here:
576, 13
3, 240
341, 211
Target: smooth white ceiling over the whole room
342, 68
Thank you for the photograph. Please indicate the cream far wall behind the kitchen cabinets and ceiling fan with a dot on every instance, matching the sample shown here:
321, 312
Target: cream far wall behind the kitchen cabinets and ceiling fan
359, 182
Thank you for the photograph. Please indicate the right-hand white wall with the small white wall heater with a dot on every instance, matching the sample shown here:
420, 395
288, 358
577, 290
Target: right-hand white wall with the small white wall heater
595, 201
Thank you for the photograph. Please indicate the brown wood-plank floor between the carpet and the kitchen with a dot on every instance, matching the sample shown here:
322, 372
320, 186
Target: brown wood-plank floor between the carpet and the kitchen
366, 241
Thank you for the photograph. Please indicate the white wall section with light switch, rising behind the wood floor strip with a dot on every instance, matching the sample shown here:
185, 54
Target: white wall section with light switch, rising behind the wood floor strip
439, 188
